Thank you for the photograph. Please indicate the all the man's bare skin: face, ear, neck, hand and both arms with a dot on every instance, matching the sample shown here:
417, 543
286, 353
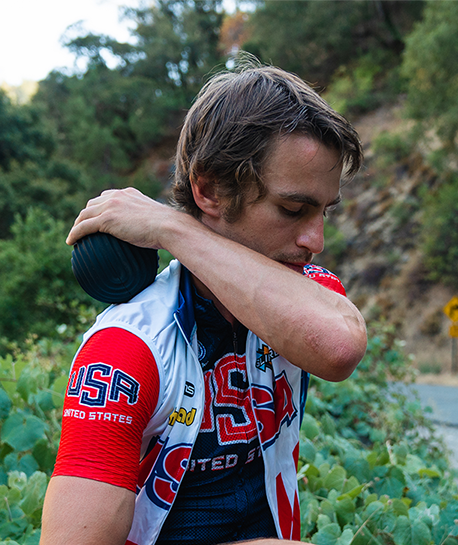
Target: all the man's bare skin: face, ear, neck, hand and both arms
249, 268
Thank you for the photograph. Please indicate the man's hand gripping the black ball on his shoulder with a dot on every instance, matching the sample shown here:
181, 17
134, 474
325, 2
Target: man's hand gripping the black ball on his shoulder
124, 213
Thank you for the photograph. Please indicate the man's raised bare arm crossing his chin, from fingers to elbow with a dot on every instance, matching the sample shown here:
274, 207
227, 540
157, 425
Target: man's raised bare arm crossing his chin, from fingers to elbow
319, 331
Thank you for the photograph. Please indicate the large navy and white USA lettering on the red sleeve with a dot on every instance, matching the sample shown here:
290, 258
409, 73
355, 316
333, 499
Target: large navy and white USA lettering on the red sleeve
97, 383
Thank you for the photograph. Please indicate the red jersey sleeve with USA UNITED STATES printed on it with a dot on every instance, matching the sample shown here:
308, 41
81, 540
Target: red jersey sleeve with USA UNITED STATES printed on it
112, 393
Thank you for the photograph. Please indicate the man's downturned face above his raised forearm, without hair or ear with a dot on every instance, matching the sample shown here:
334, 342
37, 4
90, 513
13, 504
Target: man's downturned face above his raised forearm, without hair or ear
302, 179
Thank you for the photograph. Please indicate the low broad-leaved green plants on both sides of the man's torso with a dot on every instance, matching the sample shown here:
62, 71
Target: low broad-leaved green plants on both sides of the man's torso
370, 466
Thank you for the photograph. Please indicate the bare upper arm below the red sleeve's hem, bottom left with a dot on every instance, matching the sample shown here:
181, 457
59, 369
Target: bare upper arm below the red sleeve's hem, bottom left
84, 512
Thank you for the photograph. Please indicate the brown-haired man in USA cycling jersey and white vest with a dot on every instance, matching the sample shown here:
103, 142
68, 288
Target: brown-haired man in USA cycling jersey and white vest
203, 375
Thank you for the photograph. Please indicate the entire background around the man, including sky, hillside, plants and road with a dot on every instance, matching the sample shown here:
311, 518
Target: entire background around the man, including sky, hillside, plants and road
93, 95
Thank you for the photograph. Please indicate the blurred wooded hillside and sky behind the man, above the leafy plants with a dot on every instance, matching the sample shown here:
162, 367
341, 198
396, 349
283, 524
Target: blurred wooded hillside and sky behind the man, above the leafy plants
94, 93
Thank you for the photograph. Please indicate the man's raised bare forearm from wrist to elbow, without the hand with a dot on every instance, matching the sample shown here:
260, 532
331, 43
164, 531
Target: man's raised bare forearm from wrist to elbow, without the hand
311, 326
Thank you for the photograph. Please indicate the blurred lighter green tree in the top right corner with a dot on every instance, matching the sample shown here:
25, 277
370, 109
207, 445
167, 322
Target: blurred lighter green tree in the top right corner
431, 68
